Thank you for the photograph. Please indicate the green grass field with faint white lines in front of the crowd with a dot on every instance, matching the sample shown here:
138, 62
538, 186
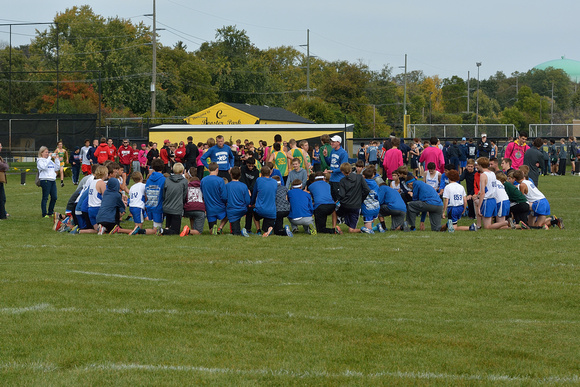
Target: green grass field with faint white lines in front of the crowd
396, 308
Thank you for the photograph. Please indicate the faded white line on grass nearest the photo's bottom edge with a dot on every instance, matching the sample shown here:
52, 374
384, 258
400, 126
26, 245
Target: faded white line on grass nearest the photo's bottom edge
296, 374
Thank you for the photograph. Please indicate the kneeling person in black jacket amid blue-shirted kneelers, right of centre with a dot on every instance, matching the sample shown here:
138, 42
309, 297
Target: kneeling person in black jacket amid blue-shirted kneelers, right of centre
352, 191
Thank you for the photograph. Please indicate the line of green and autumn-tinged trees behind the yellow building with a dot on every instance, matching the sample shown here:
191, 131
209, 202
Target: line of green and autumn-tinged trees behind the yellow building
114, 56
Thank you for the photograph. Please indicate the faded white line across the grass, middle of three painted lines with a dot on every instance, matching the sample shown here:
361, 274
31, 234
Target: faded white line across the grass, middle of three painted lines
215, 313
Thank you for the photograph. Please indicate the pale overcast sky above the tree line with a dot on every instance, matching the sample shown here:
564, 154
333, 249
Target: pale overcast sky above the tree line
442, 38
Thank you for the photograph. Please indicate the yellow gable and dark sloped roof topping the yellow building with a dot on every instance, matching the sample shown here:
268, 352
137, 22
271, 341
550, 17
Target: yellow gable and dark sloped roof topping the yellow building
244, 114
